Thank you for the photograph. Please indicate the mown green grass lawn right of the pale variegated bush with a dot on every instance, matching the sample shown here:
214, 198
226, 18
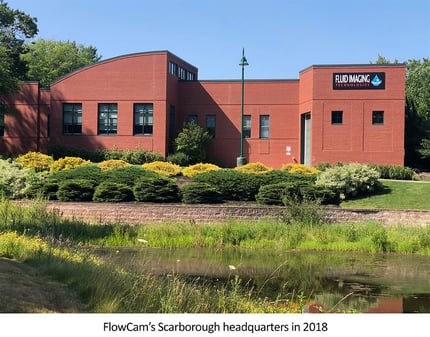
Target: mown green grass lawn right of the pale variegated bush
396, 195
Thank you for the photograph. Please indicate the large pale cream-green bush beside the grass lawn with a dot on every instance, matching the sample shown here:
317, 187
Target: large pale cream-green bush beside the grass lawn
350, 180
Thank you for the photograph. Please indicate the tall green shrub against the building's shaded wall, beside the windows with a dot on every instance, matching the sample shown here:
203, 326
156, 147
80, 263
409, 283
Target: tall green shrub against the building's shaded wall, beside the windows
193, 140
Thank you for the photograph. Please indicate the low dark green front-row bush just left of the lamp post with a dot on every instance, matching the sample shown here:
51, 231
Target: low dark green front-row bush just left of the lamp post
200, 193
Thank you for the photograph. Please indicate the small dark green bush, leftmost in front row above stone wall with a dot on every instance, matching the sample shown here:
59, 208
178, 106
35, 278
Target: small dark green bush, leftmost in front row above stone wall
76, 190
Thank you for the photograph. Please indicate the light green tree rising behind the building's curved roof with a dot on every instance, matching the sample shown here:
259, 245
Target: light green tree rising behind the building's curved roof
49, 60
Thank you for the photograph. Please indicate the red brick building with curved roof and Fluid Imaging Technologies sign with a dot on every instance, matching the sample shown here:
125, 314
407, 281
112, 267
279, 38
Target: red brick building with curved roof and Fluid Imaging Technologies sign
332, 113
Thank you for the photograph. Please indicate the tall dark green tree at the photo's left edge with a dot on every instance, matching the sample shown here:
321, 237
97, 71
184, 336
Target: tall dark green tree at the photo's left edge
16, 28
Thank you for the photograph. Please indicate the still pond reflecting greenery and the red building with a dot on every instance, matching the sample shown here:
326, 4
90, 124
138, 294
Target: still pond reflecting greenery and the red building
346, 281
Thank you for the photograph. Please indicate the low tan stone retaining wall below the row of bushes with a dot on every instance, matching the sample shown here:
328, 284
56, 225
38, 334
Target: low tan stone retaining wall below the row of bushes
136, 213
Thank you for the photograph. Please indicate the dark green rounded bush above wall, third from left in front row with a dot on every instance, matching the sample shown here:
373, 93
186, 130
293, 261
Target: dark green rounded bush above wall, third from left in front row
156, 189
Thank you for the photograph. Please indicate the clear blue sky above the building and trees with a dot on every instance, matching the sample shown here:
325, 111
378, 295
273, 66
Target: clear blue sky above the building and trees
280, 37
